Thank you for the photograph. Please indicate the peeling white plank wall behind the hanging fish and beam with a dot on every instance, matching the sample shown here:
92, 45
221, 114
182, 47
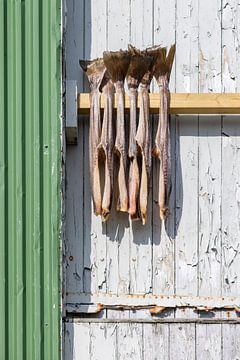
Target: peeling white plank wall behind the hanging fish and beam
198, 253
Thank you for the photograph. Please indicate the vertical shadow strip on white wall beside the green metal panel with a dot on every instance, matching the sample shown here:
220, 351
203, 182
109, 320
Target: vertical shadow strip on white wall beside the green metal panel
77, 46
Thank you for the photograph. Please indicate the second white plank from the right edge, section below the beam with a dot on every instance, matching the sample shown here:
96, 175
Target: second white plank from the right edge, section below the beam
209, 206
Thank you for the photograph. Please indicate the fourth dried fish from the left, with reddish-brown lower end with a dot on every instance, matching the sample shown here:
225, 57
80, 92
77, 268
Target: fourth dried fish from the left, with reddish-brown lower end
139, 65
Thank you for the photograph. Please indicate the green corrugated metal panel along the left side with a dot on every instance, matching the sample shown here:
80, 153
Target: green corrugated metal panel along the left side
29, 179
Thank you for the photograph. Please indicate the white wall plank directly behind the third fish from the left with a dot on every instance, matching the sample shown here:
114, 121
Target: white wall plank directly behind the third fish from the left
118, 273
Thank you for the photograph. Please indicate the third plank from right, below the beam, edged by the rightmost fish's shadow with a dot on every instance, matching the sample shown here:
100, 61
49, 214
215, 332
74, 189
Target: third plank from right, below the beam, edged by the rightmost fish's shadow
186, 256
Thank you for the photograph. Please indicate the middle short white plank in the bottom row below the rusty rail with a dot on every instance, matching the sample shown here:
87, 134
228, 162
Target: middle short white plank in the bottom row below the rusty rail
155, 341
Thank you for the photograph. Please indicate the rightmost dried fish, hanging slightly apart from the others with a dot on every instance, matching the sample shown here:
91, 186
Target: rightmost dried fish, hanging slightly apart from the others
161, 150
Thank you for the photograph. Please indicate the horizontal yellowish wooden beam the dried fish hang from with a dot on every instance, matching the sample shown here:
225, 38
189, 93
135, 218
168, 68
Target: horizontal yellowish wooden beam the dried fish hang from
209, 103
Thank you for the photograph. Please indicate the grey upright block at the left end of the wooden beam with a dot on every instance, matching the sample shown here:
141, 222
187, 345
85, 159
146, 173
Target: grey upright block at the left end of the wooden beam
71, 112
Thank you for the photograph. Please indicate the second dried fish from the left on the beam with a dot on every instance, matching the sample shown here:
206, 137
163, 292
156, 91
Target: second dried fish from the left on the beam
107, 143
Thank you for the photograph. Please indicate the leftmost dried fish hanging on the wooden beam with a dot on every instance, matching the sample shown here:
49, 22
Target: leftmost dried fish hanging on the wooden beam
95, 71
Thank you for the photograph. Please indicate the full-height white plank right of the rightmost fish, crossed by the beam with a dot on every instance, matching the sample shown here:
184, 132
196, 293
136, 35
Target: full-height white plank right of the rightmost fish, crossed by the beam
186, 255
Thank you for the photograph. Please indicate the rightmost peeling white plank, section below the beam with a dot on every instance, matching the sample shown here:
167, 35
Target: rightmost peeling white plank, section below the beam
230, 207
